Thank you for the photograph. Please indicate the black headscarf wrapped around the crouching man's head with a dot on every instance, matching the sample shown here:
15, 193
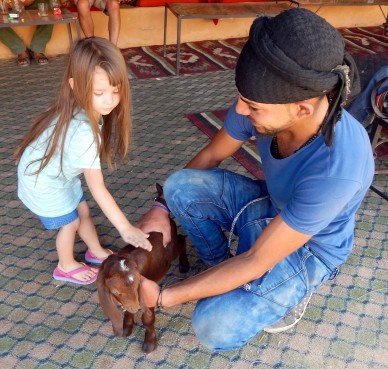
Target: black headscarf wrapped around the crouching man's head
295, 56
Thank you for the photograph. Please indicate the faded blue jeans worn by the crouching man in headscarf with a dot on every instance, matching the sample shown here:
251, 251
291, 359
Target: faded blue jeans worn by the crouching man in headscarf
205, 202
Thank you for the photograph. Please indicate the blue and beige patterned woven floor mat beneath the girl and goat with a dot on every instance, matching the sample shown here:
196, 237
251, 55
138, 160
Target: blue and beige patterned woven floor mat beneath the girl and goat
47, 324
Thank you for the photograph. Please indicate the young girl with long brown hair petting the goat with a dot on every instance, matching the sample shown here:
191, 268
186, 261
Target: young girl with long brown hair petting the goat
88, 122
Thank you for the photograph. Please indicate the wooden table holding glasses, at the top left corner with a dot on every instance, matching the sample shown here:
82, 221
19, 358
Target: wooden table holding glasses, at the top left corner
32, 18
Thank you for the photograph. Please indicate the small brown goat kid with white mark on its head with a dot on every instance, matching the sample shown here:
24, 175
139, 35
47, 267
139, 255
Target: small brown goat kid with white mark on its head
119, 282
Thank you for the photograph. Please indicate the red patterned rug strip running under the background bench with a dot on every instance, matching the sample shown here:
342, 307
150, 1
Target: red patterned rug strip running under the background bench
210, 56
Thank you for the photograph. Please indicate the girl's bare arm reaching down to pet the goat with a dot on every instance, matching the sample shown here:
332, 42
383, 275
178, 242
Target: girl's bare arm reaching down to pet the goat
108, 205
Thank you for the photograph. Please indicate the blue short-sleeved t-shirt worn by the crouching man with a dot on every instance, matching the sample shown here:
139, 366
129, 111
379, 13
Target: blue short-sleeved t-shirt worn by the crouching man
318, 189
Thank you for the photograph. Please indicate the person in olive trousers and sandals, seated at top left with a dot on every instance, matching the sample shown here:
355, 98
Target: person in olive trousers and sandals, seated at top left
38, 43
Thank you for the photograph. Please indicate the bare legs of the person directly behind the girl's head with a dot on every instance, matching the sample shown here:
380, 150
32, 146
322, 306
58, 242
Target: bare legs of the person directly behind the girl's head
109, 7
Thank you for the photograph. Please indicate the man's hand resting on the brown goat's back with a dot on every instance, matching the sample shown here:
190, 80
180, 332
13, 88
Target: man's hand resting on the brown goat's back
156, 220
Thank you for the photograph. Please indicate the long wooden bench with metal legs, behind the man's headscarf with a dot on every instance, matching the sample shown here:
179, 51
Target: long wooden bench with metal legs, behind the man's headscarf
218, 11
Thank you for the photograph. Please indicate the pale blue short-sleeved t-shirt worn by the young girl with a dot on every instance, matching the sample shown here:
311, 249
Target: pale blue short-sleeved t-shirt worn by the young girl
53, 193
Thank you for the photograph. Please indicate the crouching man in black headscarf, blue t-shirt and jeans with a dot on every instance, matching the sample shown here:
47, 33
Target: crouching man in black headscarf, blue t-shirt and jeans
294, 229
